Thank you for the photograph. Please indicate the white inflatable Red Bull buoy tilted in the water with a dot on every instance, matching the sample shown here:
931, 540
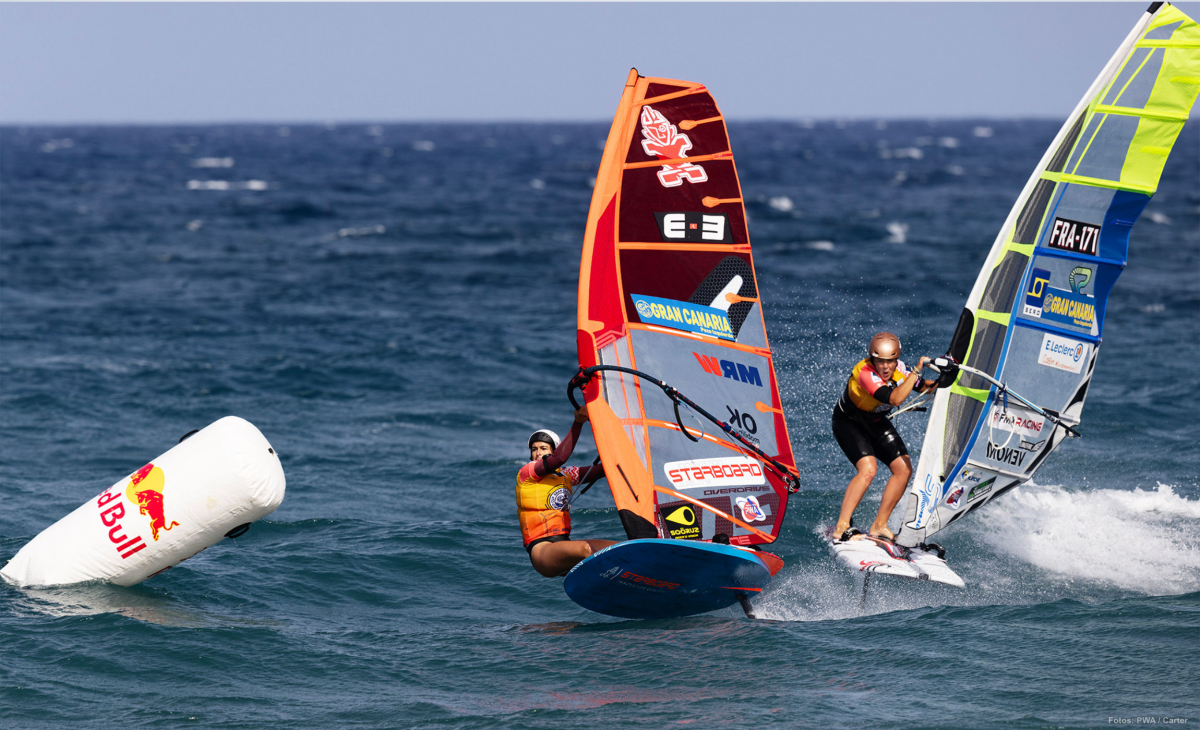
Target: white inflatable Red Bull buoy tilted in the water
214, 483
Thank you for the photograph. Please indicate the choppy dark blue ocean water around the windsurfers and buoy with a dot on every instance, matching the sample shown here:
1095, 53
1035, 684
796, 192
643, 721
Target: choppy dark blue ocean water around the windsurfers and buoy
394, 308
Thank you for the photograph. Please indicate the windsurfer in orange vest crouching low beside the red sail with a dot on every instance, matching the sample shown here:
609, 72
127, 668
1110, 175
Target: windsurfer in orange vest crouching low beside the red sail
544, 501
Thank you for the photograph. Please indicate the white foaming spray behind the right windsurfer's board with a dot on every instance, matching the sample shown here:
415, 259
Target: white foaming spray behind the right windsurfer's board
1148, 542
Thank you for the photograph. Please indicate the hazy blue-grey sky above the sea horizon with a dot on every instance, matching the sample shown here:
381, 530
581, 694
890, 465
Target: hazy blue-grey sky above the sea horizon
545, 62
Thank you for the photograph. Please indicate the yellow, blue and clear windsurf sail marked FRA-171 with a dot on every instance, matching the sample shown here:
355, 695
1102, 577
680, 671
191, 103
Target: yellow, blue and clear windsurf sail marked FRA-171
1035, 319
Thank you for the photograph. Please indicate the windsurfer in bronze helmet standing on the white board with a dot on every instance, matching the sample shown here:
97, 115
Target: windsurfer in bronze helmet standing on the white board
861, 424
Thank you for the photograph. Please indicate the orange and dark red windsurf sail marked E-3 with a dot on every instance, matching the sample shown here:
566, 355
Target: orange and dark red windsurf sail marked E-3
668, 288
